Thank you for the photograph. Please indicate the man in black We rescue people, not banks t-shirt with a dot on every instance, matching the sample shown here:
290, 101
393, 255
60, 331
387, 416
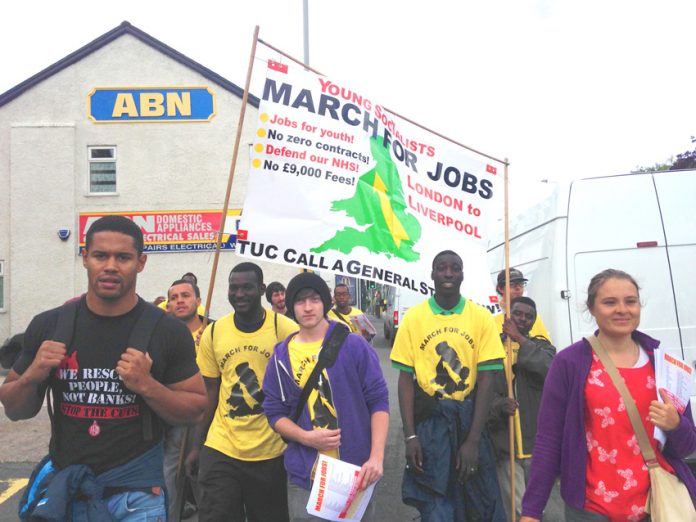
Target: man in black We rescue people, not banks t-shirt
104, 390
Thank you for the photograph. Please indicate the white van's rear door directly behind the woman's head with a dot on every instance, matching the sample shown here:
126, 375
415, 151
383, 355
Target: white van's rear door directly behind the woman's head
612, 222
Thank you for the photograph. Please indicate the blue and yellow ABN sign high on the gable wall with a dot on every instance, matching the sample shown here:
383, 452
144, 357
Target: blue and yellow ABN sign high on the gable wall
148, 104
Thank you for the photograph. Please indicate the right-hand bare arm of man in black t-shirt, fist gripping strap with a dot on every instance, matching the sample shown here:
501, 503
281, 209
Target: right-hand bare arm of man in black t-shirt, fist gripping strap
179, 403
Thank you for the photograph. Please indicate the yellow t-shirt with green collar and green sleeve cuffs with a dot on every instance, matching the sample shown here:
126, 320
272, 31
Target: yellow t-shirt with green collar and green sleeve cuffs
446, 348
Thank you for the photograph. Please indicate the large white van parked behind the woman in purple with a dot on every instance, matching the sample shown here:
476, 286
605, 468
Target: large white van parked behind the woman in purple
644, 224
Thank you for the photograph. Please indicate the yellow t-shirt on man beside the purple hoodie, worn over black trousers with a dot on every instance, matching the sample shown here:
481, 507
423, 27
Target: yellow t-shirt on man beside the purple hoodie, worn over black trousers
239, 428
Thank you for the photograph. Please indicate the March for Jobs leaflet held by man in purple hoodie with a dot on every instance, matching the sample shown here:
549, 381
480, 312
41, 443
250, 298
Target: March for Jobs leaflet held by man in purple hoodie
335, 491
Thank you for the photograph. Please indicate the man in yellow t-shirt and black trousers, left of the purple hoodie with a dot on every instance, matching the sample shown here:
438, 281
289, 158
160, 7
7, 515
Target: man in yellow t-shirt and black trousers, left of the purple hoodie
241, 474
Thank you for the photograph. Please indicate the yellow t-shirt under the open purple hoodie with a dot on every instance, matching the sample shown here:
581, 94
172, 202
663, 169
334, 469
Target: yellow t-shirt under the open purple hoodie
322, 412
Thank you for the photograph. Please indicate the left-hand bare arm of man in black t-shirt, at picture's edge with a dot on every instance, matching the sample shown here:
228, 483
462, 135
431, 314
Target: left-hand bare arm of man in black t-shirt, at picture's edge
22, 395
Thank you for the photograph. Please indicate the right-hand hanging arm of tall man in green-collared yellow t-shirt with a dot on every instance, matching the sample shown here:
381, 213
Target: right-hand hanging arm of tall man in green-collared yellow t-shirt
468, 454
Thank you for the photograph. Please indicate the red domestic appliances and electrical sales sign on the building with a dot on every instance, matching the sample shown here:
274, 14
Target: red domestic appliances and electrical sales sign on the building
175, 230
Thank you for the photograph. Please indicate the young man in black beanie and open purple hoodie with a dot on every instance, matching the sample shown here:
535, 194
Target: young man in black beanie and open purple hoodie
346, 415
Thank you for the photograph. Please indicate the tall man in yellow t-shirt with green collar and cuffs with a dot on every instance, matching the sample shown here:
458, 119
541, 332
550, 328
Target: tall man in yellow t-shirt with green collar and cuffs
445, 347
